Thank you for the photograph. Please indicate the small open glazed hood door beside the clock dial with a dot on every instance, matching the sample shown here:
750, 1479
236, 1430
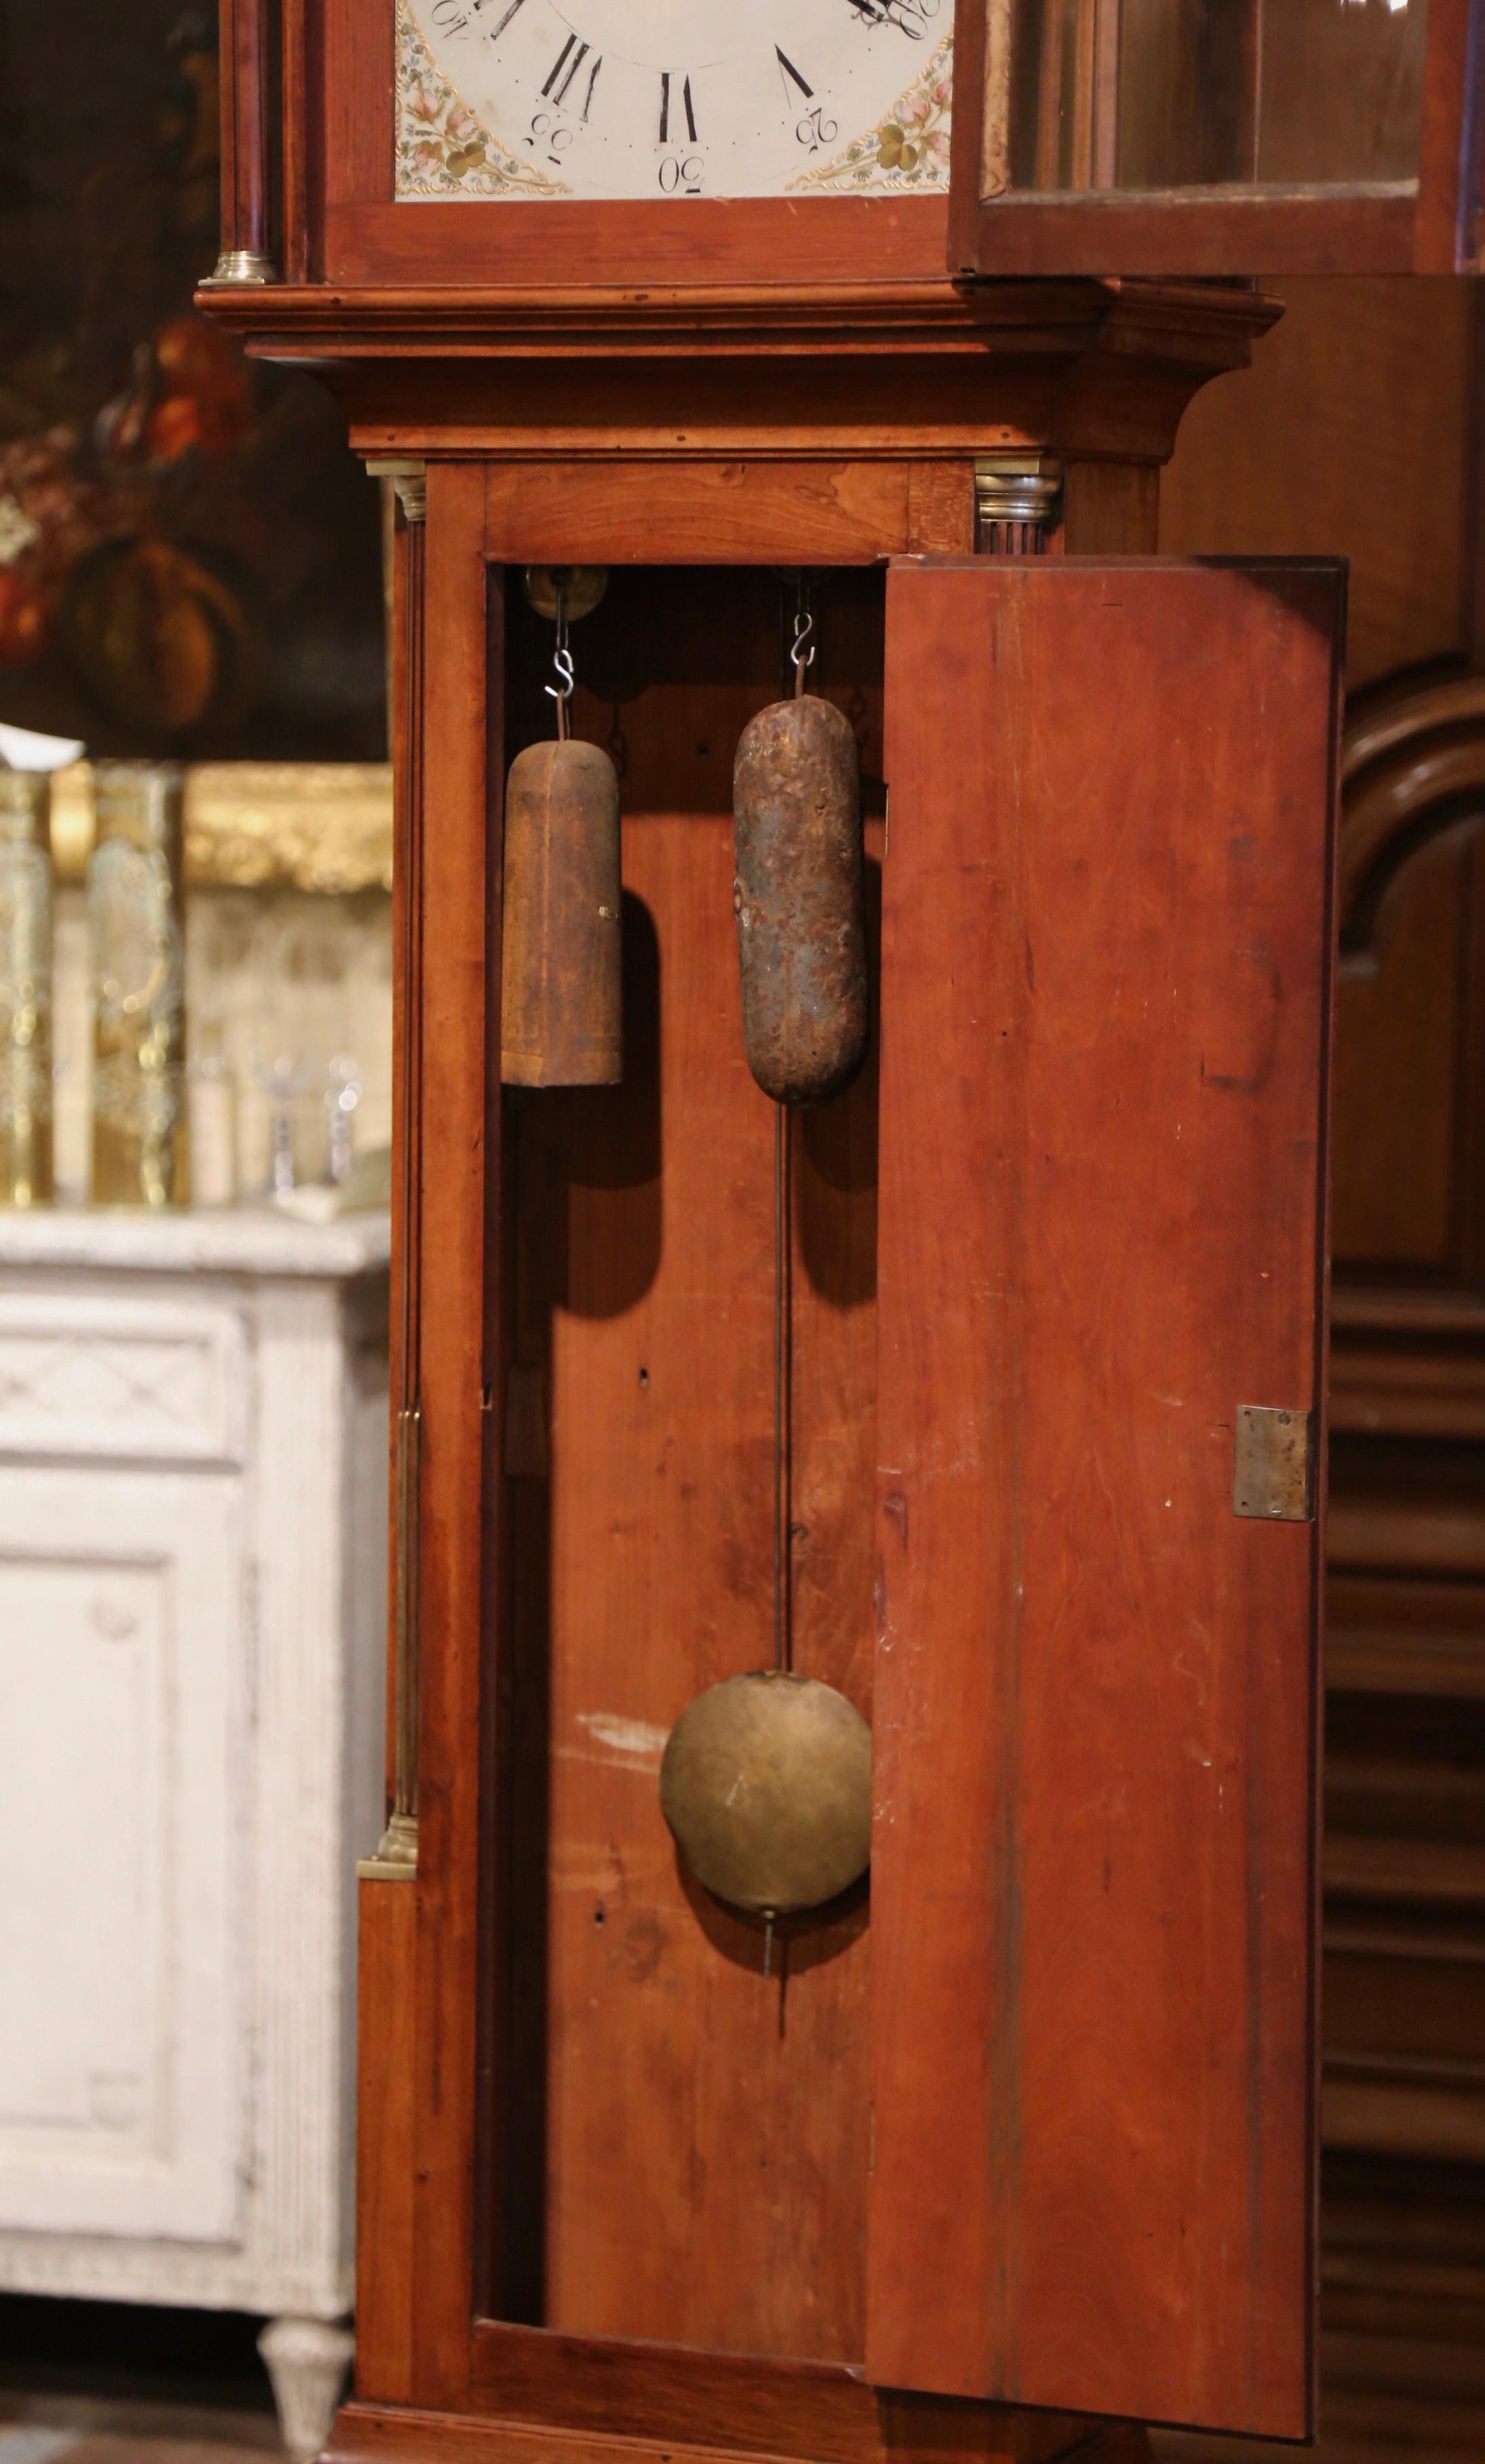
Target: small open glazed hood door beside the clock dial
1215, 137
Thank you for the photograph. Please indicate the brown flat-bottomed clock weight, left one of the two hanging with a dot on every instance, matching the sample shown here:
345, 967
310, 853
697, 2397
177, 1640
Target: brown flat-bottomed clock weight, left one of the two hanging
560, 967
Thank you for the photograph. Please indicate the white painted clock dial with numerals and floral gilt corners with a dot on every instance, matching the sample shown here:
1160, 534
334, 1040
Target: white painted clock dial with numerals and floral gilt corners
671, 97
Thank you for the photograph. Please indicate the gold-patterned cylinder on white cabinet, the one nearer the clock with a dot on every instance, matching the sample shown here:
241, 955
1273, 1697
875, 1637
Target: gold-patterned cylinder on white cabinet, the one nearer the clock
139, 987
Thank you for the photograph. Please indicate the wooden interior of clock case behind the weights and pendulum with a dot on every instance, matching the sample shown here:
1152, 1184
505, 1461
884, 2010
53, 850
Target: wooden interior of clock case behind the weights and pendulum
651, 2071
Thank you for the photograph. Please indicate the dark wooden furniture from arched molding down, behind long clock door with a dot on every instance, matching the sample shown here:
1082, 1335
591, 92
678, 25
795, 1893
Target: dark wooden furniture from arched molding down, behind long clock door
1405, 1876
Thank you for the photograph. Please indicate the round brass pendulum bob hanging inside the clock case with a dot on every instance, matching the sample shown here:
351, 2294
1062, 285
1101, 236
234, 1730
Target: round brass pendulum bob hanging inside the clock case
767, 1788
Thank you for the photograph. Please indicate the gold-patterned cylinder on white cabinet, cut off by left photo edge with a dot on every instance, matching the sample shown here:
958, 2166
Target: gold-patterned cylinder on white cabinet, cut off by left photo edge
26, 989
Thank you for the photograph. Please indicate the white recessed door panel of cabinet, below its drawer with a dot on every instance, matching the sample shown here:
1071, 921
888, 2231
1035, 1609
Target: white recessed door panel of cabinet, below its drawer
122, 1738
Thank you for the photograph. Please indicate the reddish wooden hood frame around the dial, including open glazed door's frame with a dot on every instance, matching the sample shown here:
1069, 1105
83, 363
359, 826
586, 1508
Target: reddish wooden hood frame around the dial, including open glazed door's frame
309, 193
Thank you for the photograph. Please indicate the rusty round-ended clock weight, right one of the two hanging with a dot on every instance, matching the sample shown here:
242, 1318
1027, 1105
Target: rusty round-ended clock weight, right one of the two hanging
799, 896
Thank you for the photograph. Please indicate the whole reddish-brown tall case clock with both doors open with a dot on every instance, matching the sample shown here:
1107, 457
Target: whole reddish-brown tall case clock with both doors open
932, 1467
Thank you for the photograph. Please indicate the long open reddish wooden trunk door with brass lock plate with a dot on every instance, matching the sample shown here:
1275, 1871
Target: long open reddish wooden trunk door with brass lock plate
1102, 1297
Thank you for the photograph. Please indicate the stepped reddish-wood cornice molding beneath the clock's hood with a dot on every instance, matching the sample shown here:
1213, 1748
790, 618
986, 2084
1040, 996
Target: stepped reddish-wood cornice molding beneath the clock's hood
895, 371
